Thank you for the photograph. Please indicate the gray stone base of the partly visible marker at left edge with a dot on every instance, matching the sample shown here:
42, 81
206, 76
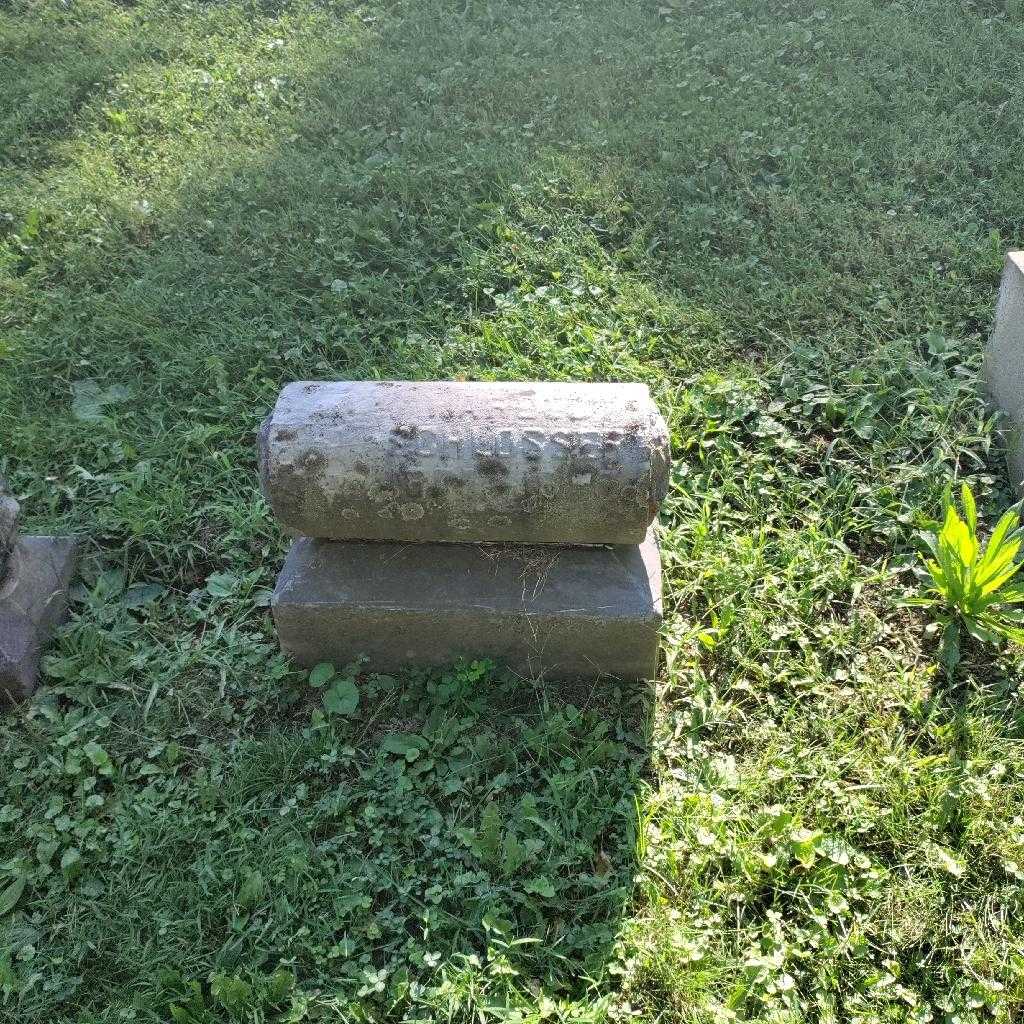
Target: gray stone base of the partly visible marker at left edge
33, 602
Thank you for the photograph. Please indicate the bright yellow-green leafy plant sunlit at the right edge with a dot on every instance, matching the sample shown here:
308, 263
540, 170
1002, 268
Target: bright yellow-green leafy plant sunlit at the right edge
972, 585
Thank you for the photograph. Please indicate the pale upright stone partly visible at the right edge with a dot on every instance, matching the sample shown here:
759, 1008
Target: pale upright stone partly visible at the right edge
1005, 365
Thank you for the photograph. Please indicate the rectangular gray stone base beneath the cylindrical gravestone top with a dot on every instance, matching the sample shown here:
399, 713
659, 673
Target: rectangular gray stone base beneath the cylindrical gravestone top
560, 613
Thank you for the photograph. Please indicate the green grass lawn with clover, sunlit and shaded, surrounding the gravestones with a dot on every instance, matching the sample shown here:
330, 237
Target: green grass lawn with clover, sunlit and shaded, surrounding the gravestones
788, 218
